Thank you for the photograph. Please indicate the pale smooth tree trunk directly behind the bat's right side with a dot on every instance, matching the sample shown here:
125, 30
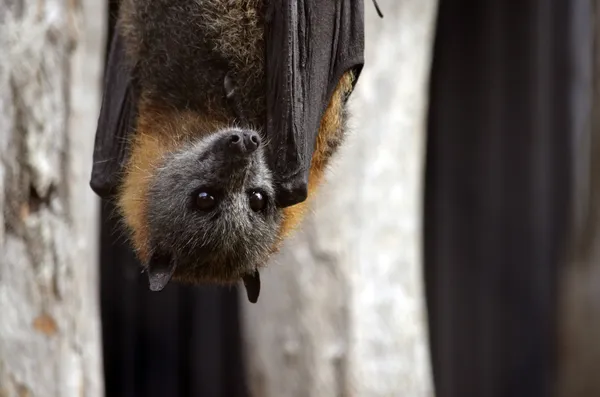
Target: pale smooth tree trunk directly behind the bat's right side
342, 310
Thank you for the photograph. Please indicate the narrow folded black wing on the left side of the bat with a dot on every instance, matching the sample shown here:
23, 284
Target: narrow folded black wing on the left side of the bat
115, 122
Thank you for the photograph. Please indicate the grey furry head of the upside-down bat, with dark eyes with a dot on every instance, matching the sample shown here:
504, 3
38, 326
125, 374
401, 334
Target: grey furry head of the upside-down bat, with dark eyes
211, 210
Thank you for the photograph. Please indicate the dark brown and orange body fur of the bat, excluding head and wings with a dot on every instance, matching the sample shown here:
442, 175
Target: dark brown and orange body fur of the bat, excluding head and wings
181, 72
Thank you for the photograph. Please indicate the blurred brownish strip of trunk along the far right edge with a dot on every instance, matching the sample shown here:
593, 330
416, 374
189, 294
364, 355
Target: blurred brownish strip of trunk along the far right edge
579, 357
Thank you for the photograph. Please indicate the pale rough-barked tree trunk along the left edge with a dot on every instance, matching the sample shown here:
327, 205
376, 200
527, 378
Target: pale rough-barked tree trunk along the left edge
50, 73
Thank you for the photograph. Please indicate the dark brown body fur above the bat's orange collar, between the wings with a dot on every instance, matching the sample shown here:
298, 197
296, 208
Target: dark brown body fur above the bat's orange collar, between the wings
182, 50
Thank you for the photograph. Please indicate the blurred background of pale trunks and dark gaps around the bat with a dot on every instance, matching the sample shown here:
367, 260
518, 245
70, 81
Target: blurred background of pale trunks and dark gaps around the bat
453, 252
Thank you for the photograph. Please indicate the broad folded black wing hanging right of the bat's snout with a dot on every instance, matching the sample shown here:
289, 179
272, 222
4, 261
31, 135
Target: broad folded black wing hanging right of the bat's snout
310, 45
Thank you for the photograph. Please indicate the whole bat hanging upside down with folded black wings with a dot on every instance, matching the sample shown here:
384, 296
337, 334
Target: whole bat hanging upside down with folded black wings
218, 120
